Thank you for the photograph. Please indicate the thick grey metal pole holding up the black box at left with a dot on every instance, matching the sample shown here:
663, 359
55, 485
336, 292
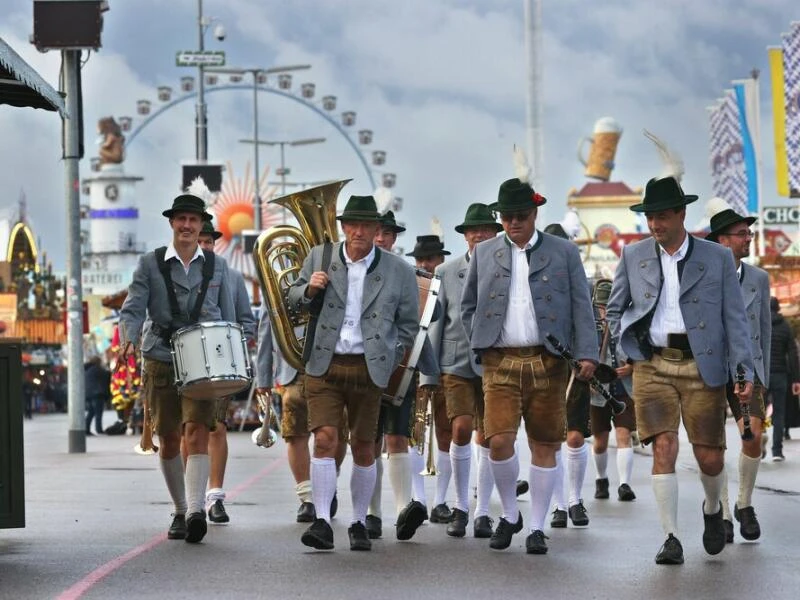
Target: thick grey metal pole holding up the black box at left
70, 60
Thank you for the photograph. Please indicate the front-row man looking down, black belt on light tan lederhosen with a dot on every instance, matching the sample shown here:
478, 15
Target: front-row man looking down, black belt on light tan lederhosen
676, 312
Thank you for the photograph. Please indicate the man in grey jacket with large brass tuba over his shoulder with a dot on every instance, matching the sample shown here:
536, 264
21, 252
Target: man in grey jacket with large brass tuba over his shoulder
367, 319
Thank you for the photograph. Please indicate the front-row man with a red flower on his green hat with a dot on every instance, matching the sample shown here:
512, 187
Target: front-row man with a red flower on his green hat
521, 288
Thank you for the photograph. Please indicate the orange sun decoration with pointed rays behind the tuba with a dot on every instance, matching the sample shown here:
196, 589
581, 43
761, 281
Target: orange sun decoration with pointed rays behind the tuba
233, 211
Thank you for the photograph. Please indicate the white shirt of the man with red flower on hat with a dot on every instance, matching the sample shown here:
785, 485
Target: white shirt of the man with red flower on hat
520, 328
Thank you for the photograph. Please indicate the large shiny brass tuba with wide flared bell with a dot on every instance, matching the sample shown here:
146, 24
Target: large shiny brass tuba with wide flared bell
279, 253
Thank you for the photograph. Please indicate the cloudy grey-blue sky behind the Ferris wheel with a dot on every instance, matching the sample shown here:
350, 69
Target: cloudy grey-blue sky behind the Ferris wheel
441, 84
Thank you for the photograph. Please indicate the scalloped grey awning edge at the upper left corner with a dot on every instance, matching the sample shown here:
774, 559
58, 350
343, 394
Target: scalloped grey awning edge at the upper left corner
21, 85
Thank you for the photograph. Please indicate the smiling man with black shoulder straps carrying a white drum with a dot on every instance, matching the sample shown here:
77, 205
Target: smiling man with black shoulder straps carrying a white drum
198, 290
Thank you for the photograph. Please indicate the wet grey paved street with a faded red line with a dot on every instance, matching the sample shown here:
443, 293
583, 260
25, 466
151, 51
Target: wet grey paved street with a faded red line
96, 527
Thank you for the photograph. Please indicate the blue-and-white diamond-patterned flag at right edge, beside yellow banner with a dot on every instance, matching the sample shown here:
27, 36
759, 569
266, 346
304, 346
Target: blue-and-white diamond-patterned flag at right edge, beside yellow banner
791, 95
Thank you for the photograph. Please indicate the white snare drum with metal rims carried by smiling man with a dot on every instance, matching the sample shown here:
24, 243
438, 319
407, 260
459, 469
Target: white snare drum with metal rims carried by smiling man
210, 360
